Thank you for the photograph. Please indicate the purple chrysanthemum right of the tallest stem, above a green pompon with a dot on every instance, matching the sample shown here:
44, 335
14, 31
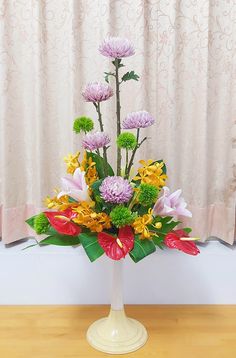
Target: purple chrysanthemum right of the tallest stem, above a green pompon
141, 119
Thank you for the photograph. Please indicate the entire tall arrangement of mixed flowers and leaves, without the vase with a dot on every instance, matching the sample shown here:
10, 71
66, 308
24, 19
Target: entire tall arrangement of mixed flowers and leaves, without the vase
107, 212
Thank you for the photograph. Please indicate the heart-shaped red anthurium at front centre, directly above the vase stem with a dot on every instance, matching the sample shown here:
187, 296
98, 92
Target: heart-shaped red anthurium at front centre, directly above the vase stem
117, 247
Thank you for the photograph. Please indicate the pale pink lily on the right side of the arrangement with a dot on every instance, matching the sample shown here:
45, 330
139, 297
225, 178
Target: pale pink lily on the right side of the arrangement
171, 204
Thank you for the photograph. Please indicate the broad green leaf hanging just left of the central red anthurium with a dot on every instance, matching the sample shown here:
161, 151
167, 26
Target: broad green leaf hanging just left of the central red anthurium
91, 246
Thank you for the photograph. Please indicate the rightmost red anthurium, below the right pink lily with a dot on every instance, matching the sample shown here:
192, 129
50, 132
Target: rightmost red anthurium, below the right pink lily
173, 241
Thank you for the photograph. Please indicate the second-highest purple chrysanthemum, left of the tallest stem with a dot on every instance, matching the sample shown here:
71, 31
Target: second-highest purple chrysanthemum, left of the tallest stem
97, 92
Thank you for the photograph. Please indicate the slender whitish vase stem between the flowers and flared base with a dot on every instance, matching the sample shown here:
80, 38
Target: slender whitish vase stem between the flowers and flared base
117, 286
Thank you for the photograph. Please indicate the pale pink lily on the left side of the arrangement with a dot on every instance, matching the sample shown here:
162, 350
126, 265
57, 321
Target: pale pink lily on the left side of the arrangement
75, 187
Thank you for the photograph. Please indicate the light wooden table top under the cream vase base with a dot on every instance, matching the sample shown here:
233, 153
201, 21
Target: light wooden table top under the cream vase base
174, 331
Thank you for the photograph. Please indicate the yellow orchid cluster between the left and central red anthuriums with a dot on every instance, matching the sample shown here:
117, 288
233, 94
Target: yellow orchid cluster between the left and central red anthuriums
95, 222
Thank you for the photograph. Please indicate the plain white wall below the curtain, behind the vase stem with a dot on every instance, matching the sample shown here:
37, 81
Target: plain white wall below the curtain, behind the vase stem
54, 275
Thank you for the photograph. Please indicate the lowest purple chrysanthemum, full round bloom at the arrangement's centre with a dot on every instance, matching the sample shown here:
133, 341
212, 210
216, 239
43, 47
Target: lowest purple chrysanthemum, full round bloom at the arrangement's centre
116, 190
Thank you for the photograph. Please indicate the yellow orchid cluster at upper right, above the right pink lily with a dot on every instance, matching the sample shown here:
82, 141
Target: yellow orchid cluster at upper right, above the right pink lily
151, 172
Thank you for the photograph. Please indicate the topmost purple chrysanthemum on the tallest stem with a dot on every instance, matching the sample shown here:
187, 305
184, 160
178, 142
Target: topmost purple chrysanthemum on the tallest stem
116, 47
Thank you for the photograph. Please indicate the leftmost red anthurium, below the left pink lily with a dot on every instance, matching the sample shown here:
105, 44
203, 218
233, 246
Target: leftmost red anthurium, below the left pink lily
61, 221
